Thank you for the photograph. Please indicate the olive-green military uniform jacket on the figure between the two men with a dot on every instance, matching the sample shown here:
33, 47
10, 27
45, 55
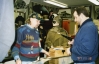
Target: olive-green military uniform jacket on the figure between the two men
55, 38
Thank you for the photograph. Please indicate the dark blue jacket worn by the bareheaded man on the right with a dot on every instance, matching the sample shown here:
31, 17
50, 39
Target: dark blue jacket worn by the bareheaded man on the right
85, 47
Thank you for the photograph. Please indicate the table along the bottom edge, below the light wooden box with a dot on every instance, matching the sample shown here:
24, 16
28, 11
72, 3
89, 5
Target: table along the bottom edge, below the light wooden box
57, 60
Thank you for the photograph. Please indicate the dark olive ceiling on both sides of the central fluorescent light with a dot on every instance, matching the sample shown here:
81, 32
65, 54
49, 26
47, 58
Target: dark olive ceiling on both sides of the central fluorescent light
70, 3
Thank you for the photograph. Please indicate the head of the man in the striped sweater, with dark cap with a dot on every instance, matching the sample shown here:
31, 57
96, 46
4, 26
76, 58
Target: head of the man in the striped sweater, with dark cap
34, 20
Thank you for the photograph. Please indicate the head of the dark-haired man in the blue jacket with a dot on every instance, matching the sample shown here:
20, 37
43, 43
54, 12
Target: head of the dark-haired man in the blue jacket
80, 15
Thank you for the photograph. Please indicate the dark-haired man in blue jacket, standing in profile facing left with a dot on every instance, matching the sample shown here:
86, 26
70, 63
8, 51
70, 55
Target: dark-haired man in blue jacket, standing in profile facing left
84, 48
